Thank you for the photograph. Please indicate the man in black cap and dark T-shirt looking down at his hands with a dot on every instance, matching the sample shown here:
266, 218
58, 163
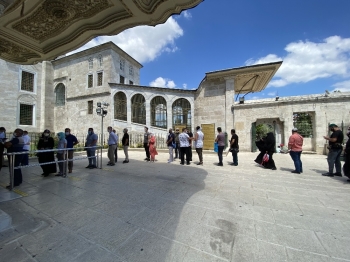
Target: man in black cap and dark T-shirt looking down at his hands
335, 148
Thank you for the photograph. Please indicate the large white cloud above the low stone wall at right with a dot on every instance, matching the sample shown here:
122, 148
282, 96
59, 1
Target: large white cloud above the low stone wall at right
307, 61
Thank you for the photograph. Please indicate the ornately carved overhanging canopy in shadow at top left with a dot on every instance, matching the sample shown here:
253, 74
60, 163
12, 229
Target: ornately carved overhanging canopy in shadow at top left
35, 30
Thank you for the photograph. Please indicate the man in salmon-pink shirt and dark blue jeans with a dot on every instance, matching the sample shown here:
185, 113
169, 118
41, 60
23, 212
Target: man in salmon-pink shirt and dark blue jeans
295, 146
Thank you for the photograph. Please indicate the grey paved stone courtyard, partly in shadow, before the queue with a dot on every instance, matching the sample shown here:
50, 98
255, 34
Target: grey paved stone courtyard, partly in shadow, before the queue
168, 212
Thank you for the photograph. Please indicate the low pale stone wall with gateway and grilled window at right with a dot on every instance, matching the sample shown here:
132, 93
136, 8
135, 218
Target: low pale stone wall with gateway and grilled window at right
333, 108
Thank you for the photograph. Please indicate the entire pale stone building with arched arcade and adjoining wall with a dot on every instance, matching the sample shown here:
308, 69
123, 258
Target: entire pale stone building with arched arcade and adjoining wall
64, 93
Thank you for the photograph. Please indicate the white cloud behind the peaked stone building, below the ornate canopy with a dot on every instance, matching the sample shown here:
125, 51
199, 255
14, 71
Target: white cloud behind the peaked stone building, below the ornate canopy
143, 43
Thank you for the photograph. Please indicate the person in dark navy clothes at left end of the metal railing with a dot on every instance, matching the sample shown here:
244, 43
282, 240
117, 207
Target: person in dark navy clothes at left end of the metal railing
16, 145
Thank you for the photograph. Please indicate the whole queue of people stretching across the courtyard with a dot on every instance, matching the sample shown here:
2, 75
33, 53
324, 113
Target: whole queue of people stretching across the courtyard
181, 143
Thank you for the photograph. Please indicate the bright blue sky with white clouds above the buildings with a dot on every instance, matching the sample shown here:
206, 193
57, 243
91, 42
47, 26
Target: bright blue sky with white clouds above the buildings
312, 37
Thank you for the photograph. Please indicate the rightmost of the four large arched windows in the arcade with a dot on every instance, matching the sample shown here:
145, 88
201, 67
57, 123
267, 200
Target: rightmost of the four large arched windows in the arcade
182, 113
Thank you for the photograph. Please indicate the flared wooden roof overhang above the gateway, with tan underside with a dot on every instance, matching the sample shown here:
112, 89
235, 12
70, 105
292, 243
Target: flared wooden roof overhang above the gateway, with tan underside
248, 79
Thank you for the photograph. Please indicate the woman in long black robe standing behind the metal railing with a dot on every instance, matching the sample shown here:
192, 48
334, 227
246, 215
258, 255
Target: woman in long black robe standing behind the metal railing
46, 142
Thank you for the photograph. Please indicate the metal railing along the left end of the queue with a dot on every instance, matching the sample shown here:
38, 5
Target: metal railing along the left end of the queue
11, 158
